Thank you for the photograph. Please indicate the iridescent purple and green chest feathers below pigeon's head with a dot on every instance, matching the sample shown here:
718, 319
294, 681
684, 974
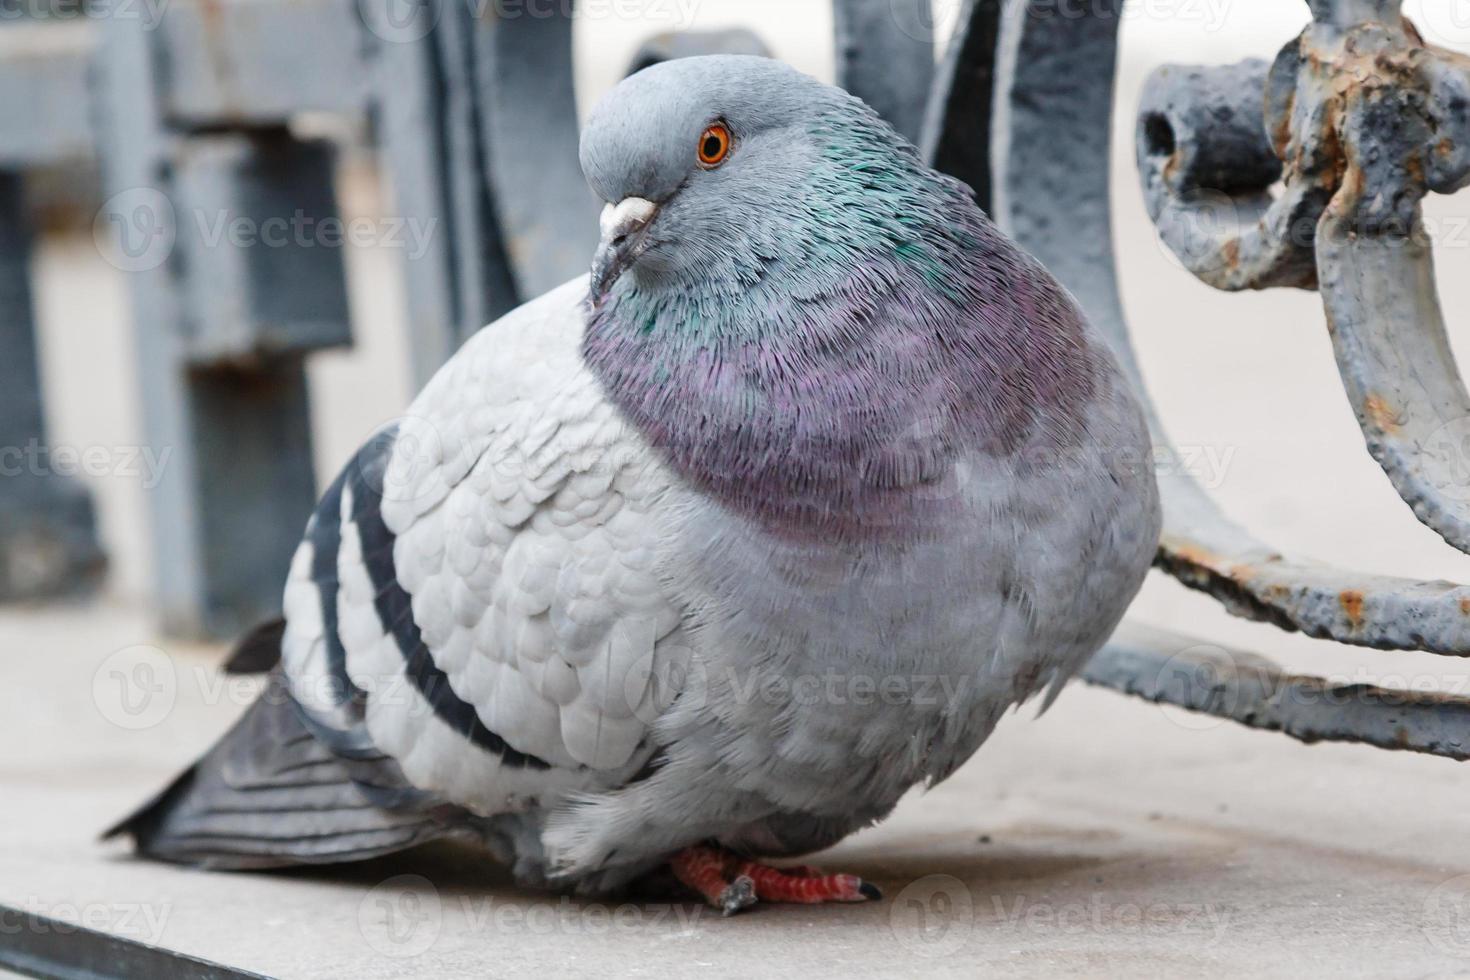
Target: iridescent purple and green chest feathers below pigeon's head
845, 417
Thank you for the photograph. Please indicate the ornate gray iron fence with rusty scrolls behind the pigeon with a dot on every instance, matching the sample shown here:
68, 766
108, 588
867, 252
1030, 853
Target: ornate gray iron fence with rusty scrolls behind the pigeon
1306, 173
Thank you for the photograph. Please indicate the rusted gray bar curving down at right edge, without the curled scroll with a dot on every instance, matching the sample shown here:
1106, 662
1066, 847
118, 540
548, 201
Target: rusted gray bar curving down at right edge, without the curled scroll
1403, 130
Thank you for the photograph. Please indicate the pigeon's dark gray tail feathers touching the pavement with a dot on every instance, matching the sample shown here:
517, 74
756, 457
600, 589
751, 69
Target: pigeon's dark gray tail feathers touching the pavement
271, 796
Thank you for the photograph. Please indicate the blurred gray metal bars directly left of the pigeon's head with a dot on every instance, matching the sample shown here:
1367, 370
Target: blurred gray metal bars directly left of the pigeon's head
480, 137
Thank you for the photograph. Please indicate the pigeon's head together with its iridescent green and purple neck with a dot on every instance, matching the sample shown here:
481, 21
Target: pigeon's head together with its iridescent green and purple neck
802, 317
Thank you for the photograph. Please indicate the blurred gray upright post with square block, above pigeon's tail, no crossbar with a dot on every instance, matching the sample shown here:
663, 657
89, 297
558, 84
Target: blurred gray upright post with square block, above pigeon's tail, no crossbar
224, 389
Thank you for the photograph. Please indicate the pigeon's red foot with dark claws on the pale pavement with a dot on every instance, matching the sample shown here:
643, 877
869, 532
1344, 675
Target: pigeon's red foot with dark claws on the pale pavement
730, 882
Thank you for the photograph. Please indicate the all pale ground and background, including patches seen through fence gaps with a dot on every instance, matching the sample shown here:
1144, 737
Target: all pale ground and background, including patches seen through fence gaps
1109, 838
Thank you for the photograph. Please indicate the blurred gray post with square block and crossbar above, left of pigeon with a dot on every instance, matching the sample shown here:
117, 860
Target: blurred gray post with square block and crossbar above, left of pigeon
223, 323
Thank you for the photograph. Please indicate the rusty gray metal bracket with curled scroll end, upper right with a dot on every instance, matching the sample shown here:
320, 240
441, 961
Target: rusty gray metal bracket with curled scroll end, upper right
1359, 120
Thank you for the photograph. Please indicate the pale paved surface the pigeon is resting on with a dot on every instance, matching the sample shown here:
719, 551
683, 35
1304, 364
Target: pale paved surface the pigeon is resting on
1121, 843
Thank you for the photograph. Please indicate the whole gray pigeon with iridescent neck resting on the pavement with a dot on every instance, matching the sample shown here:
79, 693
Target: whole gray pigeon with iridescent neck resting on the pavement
703, 561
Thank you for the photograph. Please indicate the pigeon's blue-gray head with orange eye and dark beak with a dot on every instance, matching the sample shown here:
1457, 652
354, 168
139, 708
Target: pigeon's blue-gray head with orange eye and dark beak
709, 168
